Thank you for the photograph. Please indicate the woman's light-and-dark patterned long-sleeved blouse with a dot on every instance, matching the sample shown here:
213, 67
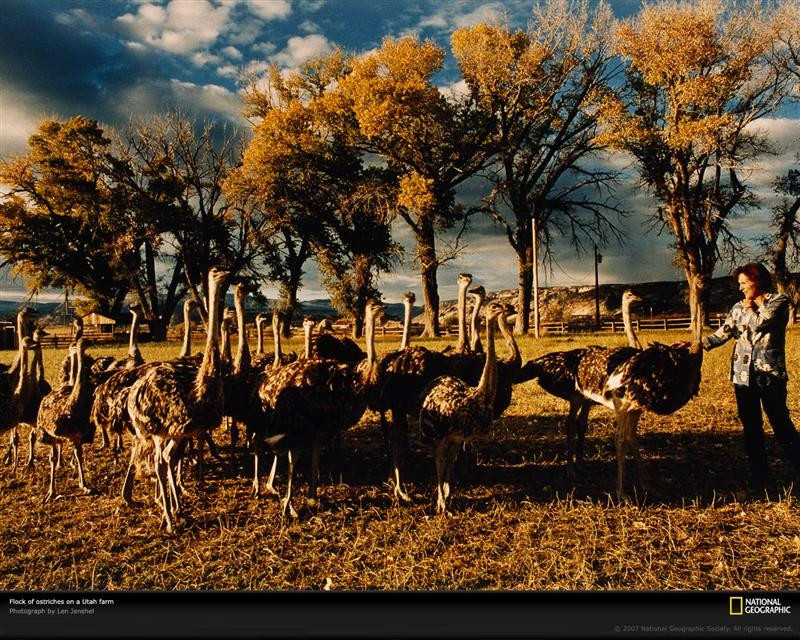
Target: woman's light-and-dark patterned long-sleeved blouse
760, 338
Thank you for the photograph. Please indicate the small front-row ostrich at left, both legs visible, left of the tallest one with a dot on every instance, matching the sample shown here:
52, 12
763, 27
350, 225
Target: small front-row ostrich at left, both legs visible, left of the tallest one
63, 415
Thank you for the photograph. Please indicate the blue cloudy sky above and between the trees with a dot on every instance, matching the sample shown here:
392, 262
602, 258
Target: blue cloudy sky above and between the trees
113, 60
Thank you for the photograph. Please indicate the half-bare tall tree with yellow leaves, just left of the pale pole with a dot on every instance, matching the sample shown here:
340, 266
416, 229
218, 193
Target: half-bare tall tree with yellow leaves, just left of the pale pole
540, 86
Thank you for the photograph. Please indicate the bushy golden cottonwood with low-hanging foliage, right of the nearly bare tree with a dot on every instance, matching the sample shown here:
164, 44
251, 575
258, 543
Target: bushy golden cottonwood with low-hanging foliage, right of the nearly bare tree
305, 166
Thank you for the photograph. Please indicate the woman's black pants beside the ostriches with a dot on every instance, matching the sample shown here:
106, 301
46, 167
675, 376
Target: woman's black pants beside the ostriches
769, 391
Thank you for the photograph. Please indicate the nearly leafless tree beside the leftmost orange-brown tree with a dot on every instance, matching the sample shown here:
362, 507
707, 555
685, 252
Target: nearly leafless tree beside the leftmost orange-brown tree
179, 167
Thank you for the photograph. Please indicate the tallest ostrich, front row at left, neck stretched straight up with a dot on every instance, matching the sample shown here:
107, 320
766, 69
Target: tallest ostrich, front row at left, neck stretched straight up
175, 400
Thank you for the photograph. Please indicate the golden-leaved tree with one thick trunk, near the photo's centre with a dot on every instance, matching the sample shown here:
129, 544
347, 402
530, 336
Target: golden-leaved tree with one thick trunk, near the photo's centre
433, 143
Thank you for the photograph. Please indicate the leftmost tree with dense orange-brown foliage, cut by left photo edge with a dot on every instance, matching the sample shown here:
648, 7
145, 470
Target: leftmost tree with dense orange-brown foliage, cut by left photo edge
66, 221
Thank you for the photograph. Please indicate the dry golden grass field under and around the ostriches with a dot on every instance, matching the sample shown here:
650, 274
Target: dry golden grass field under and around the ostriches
516, 523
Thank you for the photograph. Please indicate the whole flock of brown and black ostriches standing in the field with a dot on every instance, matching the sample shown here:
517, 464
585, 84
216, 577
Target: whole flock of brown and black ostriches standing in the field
287, 404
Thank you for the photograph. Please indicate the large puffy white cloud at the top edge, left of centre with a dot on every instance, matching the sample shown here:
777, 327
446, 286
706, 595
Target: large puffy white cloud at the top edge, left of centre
181, 27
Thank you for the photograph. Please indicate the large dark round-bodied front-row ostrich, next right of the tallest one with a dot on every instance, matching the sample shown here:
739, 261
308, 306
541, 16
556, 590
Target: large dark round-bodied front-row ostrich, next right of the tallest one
309, 401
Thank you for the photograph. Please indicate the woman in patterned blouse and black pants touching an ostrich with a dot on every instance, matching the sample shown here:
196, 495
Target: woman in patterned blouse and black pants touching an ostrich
758, 368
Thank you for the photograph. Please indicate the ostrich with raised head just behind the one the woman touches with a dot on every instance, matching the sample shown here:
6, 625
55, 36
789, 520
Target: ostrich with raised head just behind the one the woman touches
557, 373
